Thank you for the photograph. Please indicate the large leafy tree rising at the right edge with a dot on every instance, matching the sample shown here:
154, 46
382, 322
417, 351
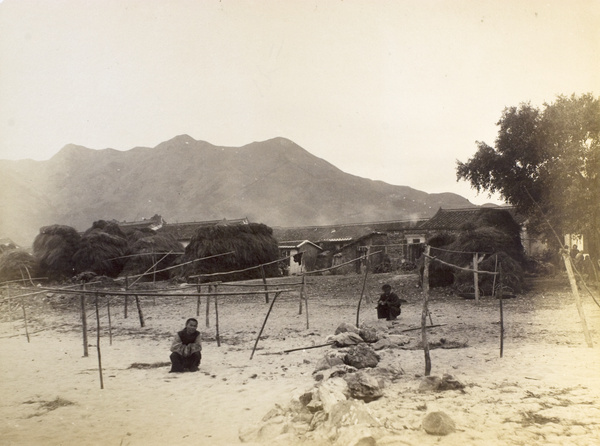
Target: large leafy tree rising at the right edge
546, 163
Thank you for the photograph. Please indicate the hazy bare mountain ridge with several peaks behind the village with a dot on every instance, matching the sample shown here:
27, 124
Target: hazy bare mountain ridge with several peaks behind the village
275, 182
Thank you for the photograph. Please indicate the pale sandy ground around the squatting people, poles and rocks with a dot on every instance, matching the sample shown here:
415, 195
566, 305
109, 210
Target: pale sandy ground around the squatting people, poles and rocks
544, 390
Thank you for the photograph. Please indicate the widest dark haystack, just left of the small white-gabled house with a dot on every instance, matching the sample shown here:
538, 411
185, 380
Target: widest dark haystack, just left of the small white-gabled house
252, 245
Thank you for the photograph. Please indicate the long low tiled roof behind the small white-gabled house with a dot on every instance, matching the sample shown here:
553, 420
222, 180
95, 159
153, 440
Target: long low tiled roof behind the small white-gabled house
342, 232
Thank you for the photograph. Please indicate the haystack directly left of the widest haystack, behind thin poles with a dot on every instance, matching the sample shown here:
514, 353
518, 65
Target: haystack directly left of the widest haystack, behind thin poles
146, 248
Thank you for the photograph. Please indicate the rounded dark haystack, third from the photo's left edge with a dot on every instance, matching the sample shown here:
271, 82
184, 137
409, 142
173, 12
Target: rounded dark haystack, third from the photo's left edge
102, 250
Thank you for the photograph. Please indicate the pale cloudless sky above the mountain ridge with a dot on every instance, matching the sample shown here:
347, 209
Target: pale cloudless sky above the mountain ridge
395, 91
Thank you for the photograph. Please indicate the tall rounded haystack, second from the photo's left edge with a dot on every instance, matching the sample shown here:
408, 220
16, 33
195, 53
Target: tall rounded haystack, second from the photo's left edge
54, 248
